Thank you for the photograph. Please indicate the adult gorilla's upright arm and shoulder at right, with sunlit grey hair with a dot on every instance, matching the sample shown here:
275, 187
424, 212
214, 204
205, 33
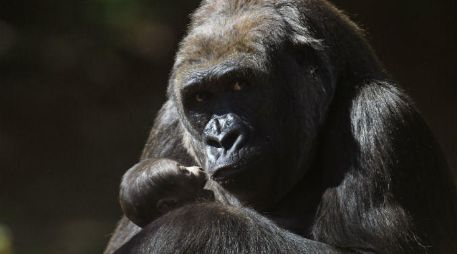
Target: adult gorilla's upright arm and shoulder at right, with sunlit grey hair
395, 194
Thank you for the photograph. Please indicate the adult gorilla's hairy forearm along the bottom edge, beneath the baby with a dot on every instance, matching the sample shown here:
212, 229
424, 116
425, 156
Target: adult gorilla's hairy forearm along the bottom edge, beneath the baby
217, 228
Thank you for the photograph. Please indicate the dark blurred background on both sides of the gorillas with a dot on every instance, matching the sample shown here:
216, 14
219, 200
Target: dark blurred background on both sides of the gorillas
81, 81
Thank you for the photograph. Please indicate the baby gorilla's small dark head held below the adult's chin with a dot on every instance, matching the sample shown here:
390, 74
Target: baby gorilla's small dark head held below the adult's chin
152, 188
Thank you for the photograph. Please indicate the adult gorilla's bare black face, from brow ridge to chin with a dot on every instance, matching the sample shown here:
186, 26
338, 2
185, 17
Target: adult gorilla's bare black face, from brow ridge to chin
231, 113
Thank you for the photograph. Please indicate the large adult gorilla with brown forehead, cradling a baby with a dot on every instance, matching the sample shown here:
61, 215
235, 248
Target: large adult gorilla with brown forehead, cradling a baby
286, 106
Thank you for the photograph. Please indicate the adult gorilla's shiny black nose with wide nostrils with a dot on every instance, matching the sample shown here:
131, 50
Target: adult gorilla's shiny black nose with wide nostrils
225, 132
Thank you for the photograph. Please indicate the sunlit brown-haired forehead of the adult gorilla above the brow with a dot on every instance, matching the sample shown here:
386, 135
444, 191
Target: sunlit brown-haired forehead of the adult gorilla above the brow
242, 36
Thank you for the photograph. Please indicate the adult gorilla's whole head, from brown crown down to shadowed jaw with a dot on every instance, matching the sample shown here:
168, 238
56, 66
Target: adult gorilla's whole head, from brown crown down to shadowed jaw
245, 100
